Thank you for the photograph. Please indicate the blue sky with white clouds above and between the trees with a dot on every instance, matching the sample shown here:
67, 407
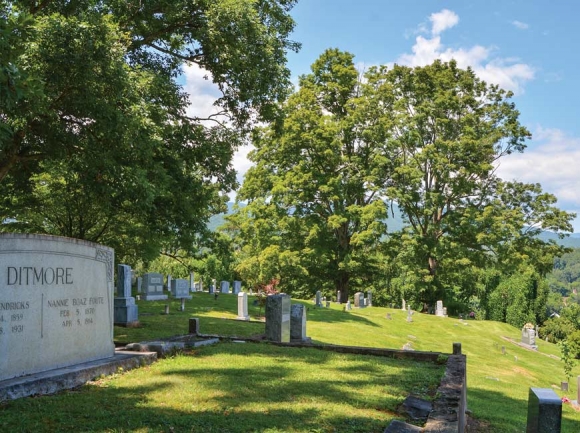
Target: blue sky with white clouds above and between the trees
529, 47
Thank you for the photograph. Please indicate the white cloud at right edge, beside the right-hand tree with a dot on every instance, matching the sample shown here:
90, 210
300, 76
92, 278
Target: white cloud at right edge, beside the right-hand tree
550, 162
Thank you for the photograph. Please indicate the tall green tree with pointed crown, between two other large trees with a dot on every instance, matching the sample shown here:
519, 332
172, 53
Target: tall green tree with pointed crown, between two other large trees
319, 181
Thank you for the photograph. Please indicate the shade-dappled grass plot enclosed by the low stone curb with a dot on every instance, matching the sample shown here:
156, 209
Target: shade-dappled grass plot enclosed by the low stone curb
233, 387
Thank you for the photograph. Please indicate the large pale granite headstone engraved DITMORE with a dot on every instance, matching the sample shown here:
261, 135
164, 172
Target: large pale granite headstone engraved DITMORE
56, 303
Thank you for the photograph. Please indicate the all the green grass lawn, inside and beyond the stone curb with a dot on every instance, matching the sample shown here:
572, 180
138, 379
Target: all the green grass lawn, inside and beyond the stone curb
250, 387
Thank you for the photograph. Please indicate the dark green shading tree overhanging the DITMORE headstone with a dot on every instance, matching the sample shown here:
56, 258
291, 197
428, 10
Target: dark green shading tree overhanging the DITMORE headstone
95, 139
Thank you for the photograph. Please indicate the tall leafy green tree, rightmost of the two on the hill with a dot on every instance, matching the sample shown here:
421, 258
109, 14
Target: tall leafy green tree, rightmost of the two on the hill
448, 130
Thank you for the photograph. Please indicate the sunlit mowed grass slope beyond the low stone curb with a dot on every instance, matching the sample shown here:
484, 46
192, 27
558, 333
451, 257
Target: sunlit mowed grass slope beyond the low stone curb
498, 385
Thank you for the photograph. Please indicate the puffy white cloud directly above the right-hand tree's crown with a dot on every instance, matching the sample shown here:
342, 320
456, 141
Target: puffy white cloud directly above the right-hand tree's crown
509, 74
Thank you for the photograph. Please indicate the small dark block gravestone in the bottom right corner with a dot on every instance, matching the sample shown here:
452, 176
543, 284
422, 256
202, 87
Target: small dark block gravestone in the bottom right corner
544, 411
